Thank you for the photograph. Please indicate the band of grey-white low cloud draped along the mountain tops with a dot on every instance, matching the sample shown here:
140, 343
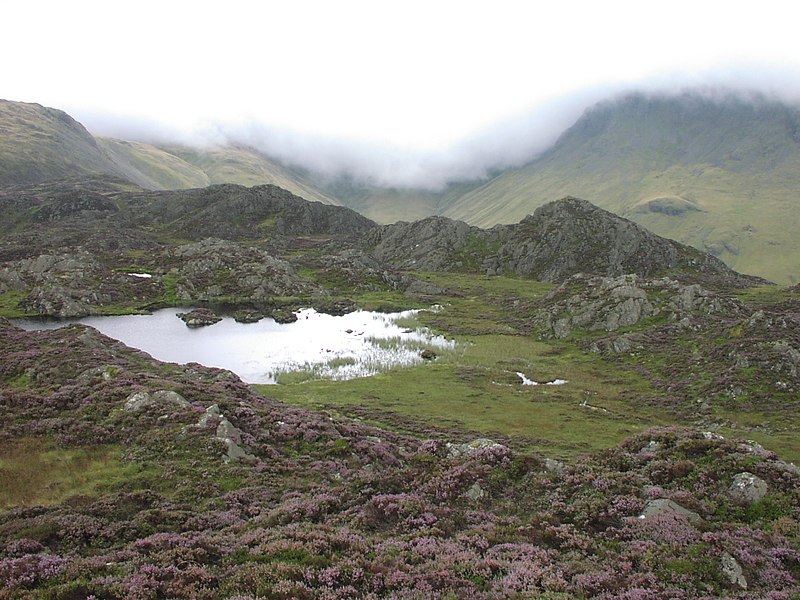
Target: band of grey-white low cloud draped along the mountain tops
512, 142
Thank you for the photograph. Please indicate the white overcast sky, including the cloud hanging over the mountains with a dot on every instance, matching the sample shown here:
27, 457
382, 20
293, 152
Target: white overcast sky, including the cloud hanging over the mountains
404, 92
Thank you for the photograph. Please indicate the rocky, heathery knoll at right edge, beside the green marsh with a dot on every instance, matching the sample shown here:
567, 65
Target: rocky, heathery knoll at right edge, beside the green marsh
703, 349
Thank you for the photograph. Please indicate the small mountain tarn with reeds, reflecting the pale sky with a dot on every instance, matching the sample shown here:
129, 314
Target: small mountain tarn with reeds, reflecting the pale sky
318, 345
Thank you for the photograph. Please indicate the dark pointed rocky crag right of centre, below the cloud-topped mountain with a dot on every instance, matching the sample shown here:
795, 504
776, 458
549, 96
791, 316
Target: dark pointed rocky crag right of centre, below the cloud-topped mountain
560, 239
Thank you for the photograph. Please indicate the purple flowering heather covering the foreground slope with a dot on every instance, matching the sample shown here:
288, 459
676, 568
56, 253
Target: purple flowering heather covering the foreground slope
332, 508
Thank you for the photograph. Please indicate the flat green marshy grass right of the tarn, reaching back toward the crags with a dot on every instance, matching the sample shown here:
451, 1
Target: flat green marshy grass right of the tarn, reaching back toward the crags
473, 386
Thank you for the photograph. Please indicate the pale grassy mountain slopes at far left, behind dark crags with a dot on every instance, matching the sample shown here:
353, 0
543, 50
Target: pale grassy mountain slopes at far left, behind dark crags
40, 144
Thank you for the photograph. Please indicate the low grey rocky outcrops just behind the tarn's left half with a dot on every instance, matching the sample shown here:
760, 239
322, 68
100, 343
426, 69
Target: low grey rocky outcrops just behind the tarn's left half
76, 284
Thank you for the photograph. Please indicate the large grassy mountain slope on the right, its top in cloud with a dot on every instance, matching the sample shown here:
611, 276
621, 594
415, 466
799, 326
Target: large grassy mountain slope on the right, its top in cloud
720, 175
